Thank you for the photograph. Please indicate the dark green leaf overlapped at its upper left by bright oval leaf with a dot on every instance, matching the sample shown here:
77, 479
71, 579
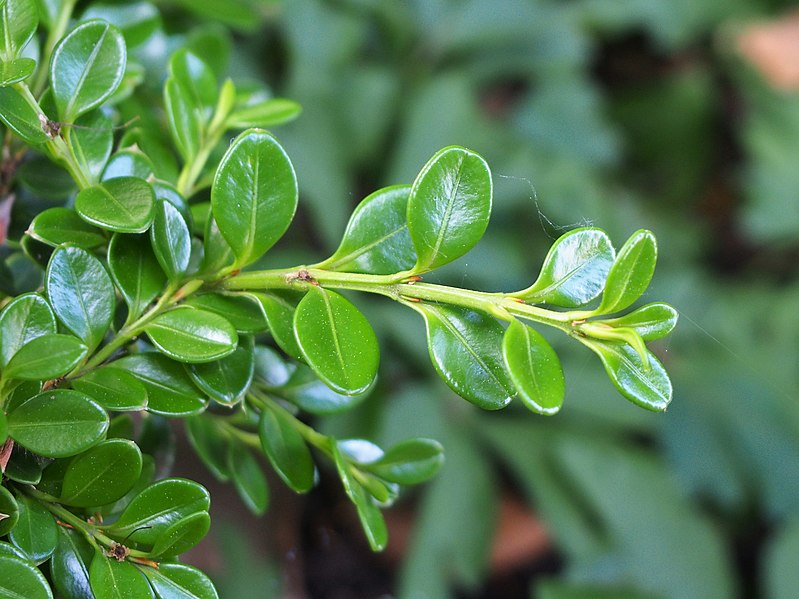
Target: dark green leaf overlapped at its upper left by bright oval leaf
225, 380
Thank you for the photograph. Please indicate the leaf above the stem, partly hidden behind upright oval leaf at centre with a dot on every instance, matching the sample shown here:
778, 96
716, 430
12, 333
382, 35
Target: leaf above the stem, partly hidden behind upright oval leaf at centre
377, 240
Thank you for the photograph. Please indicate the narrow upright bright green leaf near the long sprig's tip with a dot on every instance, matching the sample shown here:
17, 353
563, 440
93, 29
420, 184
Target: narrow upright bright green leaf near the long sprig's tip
630, 274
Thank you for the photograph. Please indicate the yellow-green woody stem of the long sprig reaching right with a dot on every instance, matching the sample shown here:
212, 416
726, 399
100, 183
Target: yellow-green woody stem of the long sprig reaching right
496, 304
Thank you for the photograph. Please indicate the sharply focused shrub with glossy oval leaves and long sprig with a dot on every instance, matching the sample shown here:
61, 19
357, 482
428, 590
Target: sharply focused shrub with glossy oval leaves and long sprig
135, 289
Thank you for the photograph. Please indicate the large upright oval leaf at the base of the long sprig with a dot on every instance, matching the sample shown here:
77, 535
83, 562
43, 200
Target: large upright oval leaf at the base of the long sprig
254, 195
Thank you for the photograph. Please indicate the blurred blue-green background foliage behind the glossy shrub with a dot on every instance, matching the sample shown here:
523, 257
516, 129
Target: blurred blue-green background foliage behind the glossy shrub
681, 117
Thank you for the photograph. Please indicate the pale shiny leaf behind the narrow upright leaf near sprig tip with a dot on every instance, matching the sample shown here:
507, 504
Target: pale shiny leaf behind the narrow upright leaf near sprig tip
574, 270
